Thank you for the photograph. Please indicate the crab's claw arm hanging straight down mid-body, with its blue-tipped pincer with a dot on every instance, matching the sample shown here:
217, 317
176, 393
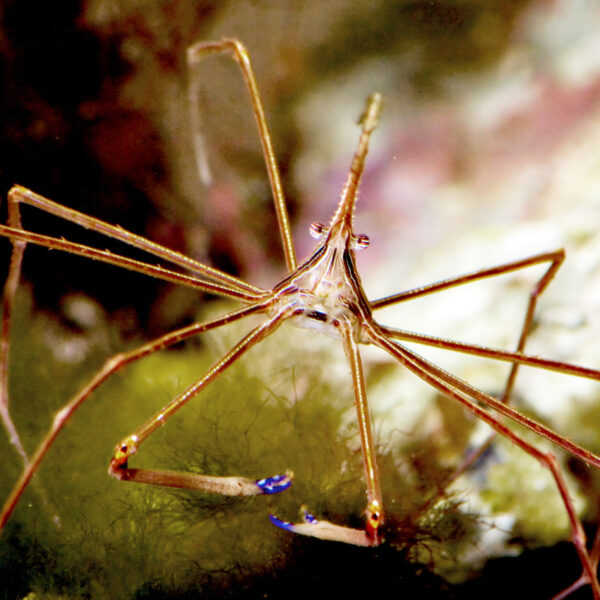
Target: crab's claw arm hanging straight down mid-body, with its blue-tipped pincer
374, 510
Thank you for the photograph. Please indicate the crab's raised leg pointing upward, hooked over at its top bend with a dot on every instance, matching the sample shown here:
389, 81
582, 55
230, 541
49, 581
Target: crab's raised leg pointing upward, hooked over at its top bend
240, 54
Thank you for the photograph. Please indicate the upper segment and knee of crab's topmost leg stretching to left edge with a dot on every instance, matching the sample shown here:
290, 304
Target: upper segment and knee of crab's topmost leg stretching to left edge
20, 195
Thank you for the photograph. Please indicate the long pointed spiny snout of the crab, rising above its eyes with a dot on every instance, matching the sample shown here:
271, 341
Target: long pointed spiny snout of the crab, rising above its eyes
369, 120
